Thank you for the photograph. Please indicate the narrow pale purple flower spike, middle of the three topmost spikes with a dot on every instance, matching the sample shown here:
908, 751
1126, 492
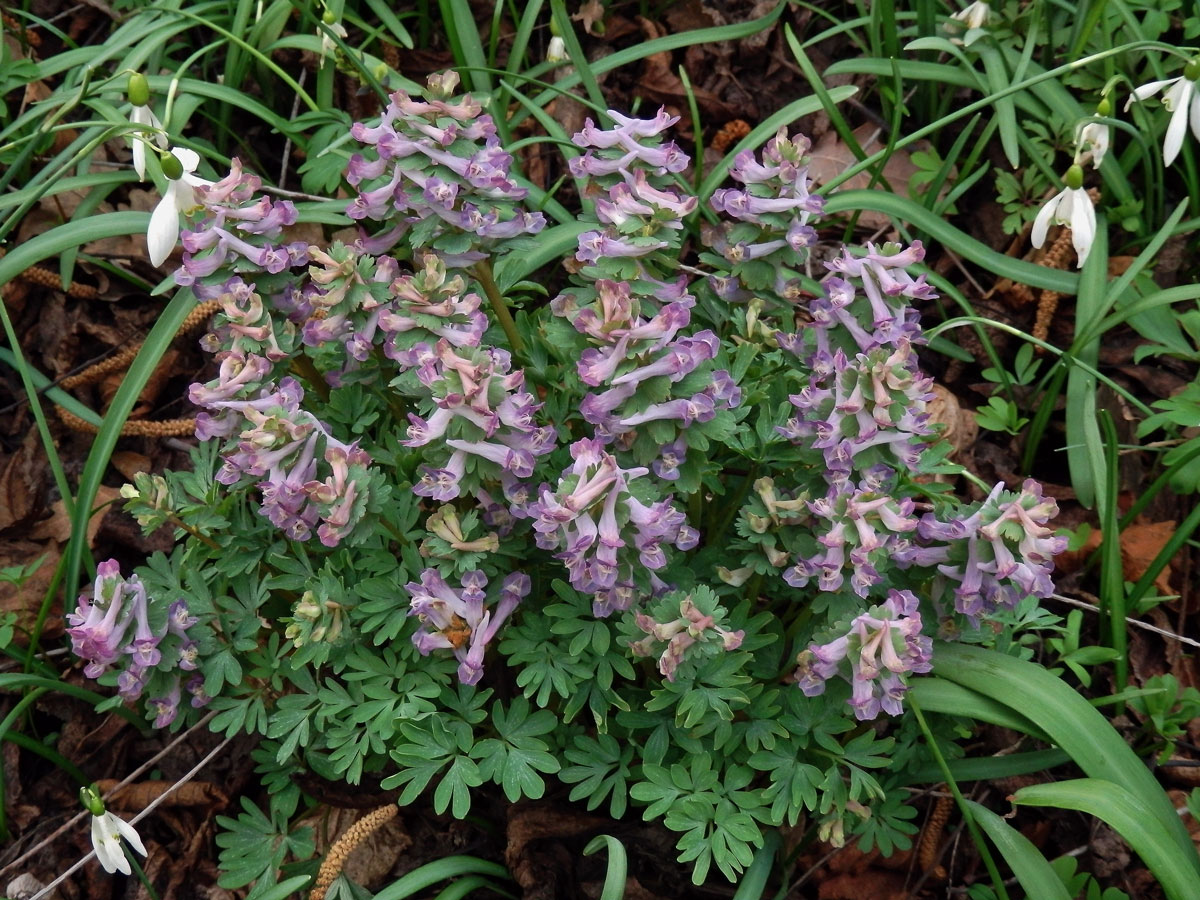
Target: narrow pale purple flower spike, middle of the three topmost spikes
639, 217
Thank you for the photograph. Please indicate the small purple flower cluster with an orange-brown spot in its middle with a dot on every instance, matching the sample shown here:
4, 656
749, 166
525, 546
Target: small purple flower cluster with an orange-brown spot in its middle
460, 620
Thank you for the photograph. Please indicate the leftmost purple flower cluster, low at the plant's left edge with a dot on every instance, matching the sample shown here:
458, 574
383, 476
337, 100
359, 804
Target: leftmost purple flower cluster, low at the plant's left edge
112, 628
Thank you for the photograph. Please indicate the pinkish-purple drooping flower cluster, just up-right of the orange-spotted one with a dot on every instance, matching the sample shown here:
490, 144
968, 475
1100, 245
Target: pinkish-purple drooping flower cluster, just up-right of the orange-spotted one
590, 517
